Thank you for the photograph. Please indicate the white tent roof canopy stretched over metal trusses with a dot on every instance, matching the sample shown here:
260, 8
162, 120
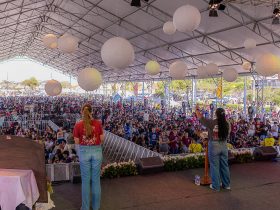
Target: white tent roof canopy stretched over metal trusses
218, 40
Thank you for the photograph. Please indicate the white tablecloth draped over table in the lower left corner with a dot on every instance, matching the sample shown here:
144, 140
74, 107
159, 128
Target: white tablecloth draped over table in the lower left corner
17, 186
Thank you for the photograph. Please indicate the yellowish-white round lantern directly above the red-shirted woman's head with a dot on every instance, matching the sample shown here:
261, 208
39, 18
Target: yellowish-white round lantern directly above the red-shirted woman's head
89, 79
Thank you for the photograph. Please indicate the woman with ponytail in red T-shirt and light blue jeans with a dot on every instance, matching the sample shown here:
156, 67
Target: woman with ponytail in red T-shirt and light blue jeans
89, 134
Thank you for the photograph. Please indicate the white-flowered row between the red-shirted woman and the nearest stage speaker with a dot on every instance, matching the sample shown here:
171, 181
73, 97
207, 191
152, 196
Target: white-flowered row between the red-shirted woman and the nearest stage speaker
120, 169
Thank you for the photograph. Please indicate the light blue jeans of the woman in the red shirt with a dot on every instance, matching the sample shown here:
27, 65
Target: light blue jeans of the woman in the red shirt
90, 164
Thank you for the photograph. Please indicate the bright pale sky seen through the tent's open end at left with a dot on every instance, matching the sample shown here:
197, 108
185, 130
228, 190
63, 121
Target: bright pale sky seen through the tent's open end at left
19, 69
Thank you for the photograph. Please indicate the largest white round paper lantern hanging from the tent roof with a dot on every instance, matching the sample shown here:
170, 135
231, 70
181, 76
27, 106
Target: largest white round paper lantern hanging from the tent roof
117, 53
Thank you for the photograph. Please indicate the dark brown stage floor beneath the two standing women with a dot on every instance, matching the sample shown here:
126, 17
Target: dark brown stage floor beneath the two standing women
255, 186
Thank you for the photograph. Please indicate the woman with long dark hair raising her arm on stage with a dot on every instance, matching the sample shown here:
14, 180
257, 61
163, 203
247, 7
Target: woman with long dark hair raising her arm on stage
218, 132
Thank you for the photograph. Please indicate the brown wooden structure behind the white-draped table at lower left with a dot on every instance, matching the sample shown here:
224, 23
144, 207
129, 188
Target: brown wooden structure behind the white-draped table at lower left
21, 153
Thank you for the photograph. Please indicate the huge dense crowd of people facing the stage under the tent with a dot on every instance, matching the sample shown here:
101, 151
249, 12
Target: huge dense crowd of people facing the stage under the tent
166, 131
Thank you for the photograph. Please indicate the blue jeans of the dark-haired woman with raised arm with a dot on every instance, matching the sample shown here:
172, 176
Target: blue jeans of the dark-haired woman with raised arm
218, 158
